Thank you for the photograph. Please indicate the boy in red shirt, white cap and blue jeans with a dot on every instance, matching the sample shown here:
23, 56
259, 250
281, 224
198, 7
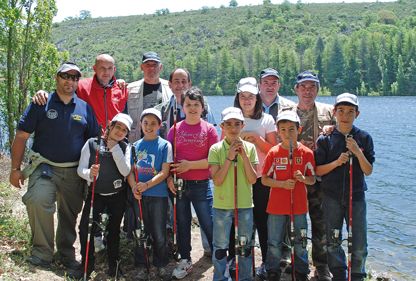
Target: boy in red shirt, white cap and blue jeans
288, 168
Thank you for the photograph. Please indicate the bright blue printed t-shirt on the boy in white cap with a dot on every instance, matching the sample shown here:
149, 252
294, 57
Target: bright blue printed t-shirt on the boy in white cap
150, 157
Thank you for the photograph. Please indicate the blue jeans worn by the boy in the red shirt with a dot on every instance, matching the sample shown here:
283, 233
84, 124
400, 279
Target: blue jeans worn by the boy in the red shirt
277, 225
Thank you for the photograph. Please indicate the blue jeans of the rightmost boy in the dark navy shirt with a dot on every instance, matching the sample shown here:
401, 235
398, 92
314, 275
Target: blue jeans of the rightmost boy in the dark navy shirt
335, 213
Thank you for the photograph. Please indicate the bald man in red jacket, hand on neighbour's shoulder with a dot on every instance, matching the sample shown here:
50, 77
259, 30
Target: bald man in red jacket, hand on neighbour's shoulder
101, 91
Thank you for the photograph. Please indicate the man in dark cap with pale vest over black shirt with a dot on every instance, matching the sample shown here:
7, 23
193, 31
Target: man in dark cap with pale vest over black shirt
147, 92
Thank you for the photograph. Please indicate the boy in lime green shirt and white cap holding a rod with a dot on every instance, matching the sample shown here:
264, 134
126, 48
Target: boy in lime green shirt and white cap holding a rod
232, 164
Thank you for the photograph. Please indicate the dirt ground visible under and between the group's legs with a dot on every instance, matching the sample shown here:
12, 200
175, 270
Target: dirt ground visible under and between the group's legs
13, 266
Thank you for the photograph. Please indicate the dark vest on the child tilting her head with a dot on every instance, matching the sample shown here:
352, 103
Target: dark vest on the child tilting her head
110, 180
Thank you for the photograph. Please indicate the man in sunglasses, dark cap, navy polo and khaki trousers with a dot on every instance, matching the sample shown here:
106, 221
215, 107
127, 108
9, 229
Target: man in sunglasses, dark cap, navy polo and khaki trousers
60, 130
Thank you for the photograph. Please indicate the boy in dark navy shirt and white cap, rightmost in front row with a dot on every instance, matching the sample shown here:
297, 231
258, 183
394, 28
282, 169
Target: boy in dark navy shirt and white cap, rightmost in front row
343, 158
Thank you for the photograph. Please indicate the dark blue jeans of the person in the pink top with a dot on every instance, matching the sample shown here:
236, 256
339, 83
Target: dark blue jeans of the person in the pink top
200, 195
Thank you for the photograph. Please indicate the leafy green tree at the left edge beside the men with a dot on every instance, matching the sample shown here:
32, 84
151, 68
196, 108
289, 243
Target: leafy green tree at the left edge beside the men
30, 59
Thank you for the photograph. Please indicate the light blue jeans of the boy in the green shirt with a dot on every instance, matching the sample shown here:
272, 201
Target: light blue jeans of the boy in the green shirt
223, 220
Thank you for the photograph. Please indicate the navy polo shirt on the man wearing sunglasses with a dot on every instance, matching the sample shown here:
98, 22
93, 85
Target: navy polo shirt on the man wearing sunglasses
61, 130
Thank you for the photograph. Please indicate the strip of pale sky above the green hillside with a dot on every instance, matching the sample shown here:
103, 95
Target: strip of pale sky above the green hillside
108, 8
